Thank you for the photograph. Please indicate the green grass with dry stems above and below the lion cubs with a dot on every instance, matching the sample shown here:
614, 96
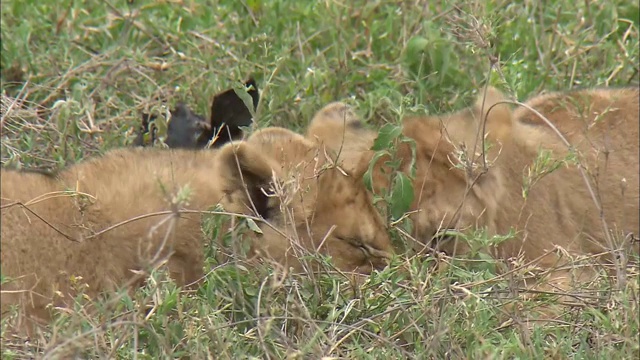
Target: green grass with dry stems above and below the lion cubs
77, 75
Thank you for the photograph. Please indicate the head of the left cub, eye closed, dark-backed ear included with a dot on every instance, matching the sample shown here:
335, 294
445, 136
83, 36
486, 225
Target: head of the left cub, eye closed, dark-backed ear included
309, 203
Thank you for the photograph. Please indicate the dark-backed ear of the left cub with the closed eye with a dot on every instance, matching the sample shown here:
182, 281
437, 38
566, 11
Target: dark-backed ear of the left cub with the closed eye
241, 164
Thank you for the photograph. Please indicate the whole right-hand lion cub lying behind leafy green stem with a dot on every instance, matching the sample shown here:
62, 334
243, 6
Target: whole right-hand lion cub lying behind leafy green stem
526, 181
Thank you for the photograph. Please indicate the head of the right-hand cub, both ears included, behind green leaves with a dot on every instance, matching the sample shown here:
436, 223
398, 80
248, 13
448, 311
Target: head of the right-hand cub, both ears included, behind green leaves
449, 159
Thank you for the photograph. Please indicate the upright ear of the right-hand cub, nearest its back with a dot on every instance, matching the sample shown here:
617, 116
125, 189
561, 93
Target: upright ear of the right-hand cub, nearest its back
493, 107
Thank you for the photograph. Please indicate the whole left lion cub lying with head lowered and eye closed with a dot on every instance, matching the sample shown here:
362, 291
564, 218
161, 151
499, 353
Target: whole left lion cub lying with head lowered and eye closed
102, 220
